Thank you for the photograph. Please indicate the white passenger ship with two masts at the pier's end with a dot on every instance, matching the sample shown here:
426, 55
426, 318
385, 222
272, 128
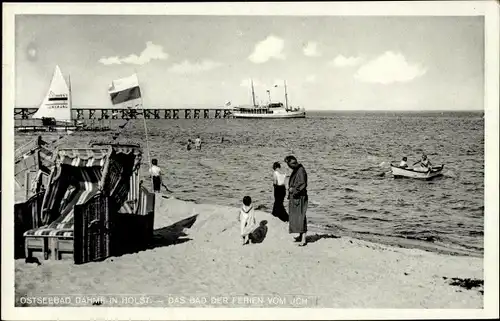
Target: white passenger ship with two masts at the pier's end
272, 110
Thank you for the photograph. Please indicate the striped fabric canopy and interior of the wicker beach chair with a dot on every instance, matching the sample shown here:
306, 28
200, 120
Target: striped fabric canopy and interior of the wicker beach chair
79, 174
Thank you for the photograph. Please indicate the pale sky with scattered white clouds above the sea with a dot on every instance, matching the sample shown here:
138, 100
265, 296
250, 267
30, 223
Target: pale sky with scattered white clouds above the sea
328, 62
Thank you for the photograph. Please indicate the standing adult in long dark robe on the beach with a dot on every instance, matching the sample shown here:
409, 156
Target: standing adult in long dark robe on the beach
298, 200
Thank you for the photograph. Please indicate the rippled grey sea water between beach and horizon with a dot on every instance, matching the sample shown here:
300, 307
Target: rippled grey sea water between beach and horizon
347, 157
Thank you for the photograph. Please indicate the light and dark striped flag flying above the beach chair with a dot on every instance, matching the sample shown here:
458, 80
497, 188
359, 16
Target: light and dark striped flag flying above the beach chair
125, 92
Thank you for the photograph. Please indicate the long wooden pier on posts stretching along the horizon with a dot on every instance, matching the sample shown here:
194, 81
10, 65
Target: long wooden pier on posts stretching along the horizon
98, 113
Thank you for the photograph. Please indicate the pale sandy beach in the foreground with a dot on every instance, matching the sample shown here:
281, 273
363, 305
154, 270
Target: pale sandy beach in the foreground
197, 260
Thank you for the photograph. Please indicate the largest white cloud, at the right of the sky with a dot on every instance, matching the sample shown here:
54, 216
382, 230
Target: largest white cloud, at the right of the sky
389, 68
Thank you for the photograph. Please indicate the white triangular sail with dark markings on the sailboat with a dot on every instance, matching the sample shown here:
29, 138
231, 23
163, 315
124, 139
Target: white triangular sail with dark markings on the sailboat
57, 101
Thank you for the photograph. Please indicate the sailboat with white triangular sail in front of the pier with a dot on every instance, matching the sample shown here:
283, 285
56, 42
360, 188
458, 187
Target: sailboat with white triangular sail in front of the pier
55, 111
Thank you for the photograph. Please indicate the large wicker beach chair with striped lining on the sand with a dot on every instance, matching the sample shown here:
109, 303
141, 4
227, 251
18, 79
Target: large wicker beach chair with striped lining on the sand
90, 191
